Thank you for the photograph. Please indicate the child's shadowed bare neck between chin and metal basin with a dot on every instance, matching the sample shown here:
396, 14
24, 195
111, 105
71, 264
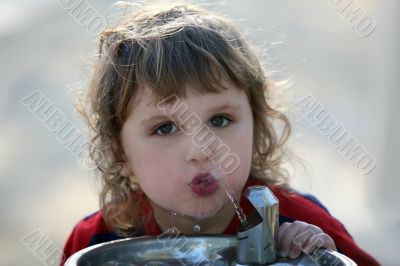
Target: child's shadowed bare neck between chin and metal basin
185, 224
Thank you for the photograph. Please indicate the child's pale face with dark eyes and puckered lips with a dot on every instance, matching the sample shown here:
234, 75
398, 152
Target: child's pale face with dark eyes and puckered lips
165, 159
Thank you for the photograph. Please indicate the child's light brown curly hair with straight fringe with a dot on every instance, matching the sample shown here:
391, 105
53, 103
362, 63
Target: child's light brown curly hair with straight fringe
163, 48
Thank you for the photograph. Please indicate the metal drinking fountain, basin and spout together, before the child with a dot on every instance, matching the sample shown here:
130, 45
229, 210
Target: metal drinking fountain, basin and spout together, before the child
256, 243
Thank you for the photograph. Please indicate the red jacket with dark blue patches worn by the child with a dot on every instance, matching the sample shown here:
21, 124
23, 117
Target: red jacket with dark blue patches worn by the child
292, 206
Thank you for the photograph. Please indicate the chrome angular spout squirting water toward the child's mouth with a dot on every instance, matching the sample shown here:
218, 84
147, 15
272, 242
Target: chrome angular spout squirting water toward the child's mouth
257, 239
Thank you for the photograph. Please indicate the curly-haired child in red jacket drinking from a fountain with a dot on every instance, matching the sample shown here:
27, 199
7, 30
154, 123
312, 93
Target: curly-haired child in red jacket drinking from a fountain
169, 77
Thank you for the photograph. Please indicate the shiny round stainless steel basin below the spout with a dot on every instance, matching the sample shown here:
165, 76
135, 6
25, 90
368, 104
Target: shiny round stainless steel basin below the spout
184, 250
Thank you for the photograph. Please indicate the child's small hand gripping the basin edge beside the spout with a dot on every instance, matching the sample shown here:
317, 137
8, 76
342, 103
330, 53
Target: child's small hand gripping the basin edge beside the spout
300, 236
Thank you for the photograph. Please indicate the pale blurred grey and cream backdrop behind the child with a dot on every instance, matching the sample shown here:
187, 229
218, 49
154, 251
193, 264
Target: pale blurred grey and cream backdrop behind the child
351, 69
